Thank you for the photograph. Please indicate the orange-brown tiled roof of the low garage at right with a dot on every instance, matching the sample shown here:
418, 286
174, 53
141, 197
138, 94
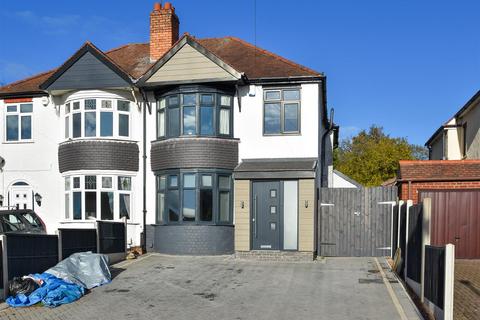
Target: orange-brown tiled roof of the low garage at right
439, 170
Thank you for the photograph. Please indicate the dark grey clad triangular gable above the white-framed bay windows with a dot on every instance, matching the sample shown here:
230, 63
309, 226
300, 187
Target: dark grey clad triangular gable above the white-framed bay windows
88, 72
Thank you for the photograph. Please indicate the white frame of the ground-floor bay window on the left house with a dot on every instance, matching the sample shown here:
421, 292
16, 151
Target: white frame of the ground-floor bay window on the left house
99, 188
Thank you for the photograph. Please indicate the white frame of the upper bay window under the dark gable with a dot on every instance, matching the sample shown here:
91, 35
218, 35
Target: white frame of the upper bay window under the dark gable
115, 119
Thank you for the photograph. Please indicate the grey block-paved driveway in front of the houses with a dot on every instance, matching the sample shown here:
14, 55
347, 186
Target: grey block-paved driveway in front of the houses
166, 287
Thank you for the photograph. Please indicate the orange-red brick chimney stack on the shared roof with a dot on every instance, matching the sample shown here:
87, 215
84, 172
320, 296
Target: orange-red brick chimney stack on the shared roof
164, 28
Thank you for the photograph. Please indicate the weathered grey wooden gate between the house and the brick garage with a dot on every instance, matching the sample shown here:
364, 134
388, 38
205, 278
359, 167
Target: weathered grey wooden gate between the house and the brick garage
356, 222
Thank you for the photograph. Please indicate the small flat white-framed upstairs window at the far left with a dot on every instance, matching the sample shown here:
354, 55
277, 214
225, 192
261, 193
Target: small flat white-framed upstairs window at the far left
18, 122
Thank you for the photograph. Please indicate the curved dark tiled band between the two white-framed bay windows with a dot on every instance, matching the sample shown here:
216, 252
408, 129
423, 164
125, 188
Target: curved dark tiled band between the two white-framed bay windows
98, 155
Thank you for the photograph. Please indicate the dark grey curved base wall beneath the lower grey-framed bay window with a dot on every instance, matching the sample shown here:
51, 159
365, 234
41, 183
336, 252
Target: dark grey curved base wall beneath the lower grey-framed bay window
190, 239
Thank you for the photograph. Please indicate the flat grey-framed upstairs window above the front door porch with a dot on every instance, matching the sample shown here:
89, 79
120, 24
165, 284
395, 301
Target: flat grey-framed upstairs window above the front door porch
281, 111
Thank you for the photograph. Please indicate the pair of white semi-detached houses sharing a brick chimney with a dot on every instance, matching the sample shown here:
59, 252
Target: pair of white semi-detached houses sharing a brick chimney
206, 146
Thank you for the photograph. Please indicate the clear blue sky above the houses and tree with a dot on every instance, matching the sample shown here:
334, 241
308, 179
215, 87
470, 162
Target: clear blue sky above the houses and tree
405, 65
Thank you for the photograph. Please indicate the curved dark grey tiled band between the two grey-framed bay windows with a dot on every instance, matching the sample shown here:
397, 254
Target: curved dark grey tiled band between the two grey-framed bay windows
194, 153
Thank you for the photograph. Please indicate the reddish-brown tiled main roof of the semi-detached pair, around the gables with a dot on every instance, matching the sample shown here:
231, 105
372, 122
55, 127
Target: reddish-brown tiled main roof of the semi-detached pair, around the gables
135, 60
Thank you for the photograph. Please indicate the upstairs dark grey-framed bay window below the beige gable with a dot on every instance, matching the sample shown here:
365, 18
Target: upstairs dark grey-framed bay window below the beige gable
194, 114
